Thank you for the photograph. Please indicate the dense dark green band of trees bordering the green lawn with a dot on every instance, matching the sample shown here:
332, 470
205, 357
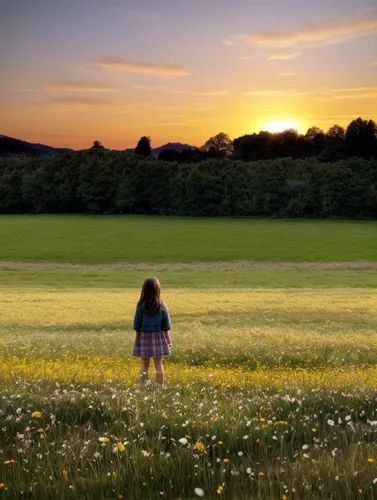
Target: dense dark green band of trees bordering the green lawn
102, 181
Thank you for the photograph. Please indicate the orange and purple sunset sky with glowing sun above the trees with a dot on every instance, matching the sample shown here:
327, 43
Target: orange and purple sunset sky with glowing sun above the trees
182, 71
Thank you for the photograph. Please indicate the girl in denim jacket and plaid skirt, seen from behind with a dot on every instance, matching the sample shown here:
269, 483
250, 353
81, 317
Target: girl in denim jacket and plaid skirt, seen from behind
152, 325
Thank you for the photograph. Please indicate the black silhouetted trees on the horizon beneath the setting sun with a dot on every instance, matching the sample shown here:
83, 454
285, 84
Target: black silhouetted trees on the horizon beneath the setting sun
359, 139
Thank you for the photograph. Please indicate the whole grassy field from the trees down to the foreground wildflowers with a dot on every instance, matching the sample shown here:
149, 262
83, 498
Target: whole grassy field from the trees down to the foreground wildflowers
271, 390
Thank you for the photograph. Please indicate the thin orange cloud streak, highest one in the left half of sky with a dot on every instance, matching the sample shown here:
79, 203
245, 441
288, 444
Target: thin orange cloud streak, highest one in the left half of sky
140, 67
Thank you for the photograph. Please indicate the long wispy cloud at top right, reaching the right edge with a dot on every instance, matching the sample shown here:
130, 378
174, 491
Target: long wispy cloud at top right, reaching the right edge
312, 35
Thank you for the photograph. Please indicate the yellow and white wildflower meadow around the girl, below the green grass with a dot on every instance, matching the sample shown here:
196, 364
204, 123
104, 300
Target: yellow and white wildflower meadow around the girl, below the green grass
269, 394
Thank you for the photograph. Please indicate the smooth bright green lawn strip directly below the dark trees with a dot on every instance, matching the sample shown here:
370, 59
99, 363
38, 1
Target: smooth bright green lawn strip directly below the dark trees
141, 239
